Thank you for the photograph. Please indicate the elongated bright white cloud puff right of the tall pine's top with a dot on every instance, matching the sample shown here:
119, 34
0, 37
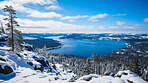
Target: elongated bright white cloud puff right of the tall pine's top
38, 14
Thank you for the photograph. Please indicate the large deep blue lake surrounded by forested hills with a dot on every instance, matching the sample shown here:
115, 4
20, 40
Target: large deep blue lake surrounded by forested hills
87, 47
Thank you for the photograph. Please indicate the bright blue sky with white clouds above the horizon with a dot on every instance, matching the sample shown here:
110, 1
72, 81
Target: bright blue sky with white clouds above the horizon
79, 16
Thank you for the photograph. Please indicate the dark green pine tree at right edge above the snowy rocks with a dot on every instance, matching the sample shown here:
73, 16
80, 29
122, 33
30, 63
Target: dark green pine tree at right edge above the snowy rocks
134, 67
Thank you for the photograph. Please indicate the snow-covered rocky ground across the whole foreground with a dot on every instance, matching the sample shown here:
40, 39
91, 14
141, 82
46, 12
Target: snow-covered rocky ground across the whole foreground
26, 69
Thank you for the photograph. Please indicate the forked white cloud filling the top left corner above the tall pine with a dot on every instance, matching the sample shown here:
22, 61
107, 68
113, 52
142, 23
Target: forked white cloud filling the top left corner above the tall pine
19, 6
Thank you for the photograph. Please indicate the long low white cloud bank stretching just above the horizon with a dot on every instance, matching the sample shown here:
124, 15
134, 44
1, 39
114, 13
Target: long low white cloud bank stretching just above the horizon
51, 26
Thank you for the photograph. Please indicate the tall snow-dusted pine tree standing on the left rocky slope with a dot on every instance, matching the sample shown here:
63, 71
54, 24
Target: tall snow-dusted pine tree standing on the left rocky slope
14, 36
